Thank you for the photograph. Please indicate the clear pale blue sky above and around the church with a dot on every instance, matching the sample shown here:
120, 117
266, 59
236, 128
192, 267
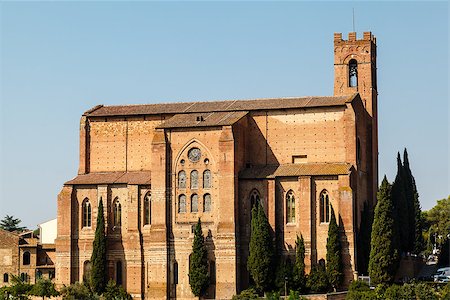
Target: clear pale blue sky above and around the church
59, 59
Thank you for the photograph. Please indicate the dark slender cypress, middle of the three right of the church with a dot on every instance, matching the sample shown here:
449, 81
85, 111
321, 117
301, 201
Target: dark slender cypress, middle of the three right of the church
401, 209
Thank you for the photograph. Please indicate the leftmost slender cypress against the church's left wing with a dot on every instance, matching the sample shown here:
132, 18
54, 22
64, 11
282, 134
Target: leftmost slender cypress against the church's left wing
98, 259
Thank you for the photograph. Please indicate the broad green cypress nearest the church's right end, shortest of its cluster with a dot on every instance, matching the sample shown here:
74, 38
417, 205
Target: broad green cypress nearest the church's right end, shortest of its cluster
383, 254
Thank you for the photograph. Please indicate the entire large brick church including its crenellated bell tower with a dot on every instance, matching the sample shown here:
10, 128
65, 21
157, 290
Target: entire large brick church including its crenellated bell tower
159, 167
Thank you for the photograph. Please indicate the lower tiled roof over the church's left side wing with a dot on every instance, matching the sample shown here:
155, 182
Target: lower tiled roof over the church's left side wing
138, 177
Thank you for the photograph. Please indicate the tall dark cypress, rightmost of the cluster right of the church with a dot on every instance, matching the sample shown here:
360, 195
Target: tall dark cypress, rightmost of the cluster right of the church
416, 237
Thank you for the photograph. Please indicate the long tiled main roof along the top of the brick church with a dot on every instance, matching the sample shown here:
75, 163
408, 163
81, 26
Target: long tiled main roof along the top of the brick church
218, 106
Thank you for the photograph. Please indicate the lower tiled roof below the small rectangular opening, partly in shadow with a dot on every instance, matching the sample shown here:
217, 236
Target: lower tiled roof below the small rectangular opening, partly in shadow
286, 170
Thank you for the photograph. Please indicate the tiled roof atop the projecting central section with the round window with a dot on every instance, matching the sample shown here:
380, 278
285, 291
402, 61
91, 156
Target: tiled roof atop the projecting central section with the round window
203, 119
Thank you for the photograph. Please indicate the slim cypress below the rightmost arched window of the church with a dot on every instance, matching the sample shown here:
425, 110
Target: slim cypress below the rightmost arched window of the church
334, 259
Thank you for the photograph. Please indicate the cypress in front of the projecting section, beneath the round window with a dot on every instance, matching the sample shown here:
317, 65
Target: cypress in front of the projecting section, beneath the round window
198, 266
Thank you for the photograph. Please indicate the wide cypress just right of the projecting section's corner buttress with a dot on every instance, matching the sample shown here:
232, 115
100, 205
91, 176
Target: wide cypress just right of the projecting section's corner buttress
260, 260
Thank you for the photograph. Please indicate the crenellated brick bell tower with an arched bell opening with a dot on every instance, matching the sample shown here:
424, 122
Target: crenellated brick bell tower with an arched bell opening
355, 71
